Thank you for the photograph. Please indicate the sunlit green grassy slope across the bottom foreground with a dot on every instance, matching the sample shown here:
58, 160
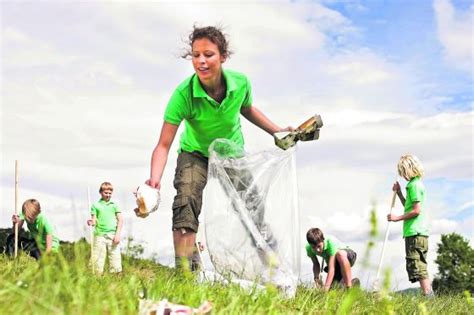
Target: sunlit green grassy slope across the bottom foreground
63, 284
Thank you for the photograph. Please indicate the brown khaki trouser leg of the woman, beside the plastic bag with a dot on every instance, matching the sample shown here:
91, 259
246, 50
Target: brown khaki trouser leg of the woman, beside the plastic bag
189, 180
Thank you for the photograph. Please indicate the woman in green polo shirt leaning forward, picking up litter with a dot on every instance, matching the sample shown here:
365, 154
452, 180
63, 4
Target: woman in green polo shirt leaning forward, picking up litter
210, 102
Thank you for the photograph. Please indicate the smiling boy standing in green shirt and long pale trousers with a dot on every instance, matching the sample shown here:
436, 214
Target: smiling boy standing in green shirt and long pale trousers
107, 219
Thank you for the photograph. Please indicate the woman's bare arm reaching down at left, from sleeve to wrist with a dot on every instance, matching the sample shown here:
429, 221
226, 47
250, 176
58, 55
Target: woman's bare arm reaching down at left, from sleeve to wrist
160, 154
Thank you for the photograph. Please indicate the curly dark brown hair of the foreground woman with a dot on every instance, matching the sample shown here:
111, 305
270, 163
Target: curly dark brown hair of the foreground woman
214, 34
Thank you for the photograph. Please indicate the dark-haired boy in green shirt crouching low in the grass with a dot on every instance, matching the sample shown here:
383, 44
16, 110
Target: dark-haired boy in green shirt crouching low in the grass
339, 259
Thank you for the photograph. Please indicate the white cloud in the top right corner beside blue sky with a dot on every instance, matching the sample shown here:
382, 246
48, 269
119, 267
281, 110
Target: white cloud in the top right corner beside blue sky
455, 33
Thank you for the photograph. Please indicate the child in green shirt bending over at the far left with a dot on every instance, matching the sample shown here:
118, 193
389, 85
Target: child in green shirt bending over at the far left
39, 226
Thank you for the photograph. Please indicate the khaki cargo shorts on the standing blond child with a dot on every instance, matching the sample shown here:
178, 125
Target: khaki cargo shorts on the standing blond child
416, 249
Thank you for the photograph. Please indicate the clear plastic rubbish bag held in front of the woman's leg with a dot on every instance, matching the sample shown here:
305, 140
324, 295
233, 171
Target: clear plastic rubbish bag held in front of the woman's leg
251, 218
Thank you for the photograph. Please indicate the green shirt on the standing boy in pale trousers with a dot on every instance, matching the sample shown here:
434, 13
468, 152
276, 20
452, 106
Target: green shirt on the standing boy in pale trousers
105, 213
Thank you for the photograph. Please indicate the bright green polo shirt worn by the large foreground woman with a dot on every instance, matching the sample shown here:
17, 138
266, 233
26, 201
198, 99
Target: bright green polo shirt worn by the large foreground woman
206, 120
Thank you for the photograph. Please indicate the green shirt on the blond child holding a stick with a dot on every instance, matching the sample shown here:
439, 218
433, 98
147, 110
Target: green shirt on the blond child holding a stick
415, 192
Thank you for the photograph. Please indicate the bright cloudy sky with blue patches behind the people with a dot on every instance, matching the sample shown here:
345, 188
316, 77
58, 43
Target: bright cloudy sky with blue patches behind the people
85, 84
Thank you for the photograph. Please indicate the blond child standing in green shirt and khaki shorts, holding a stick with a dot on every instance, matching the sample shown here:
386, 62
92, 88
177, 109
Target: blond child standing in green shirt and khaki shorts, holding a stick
415, 229
